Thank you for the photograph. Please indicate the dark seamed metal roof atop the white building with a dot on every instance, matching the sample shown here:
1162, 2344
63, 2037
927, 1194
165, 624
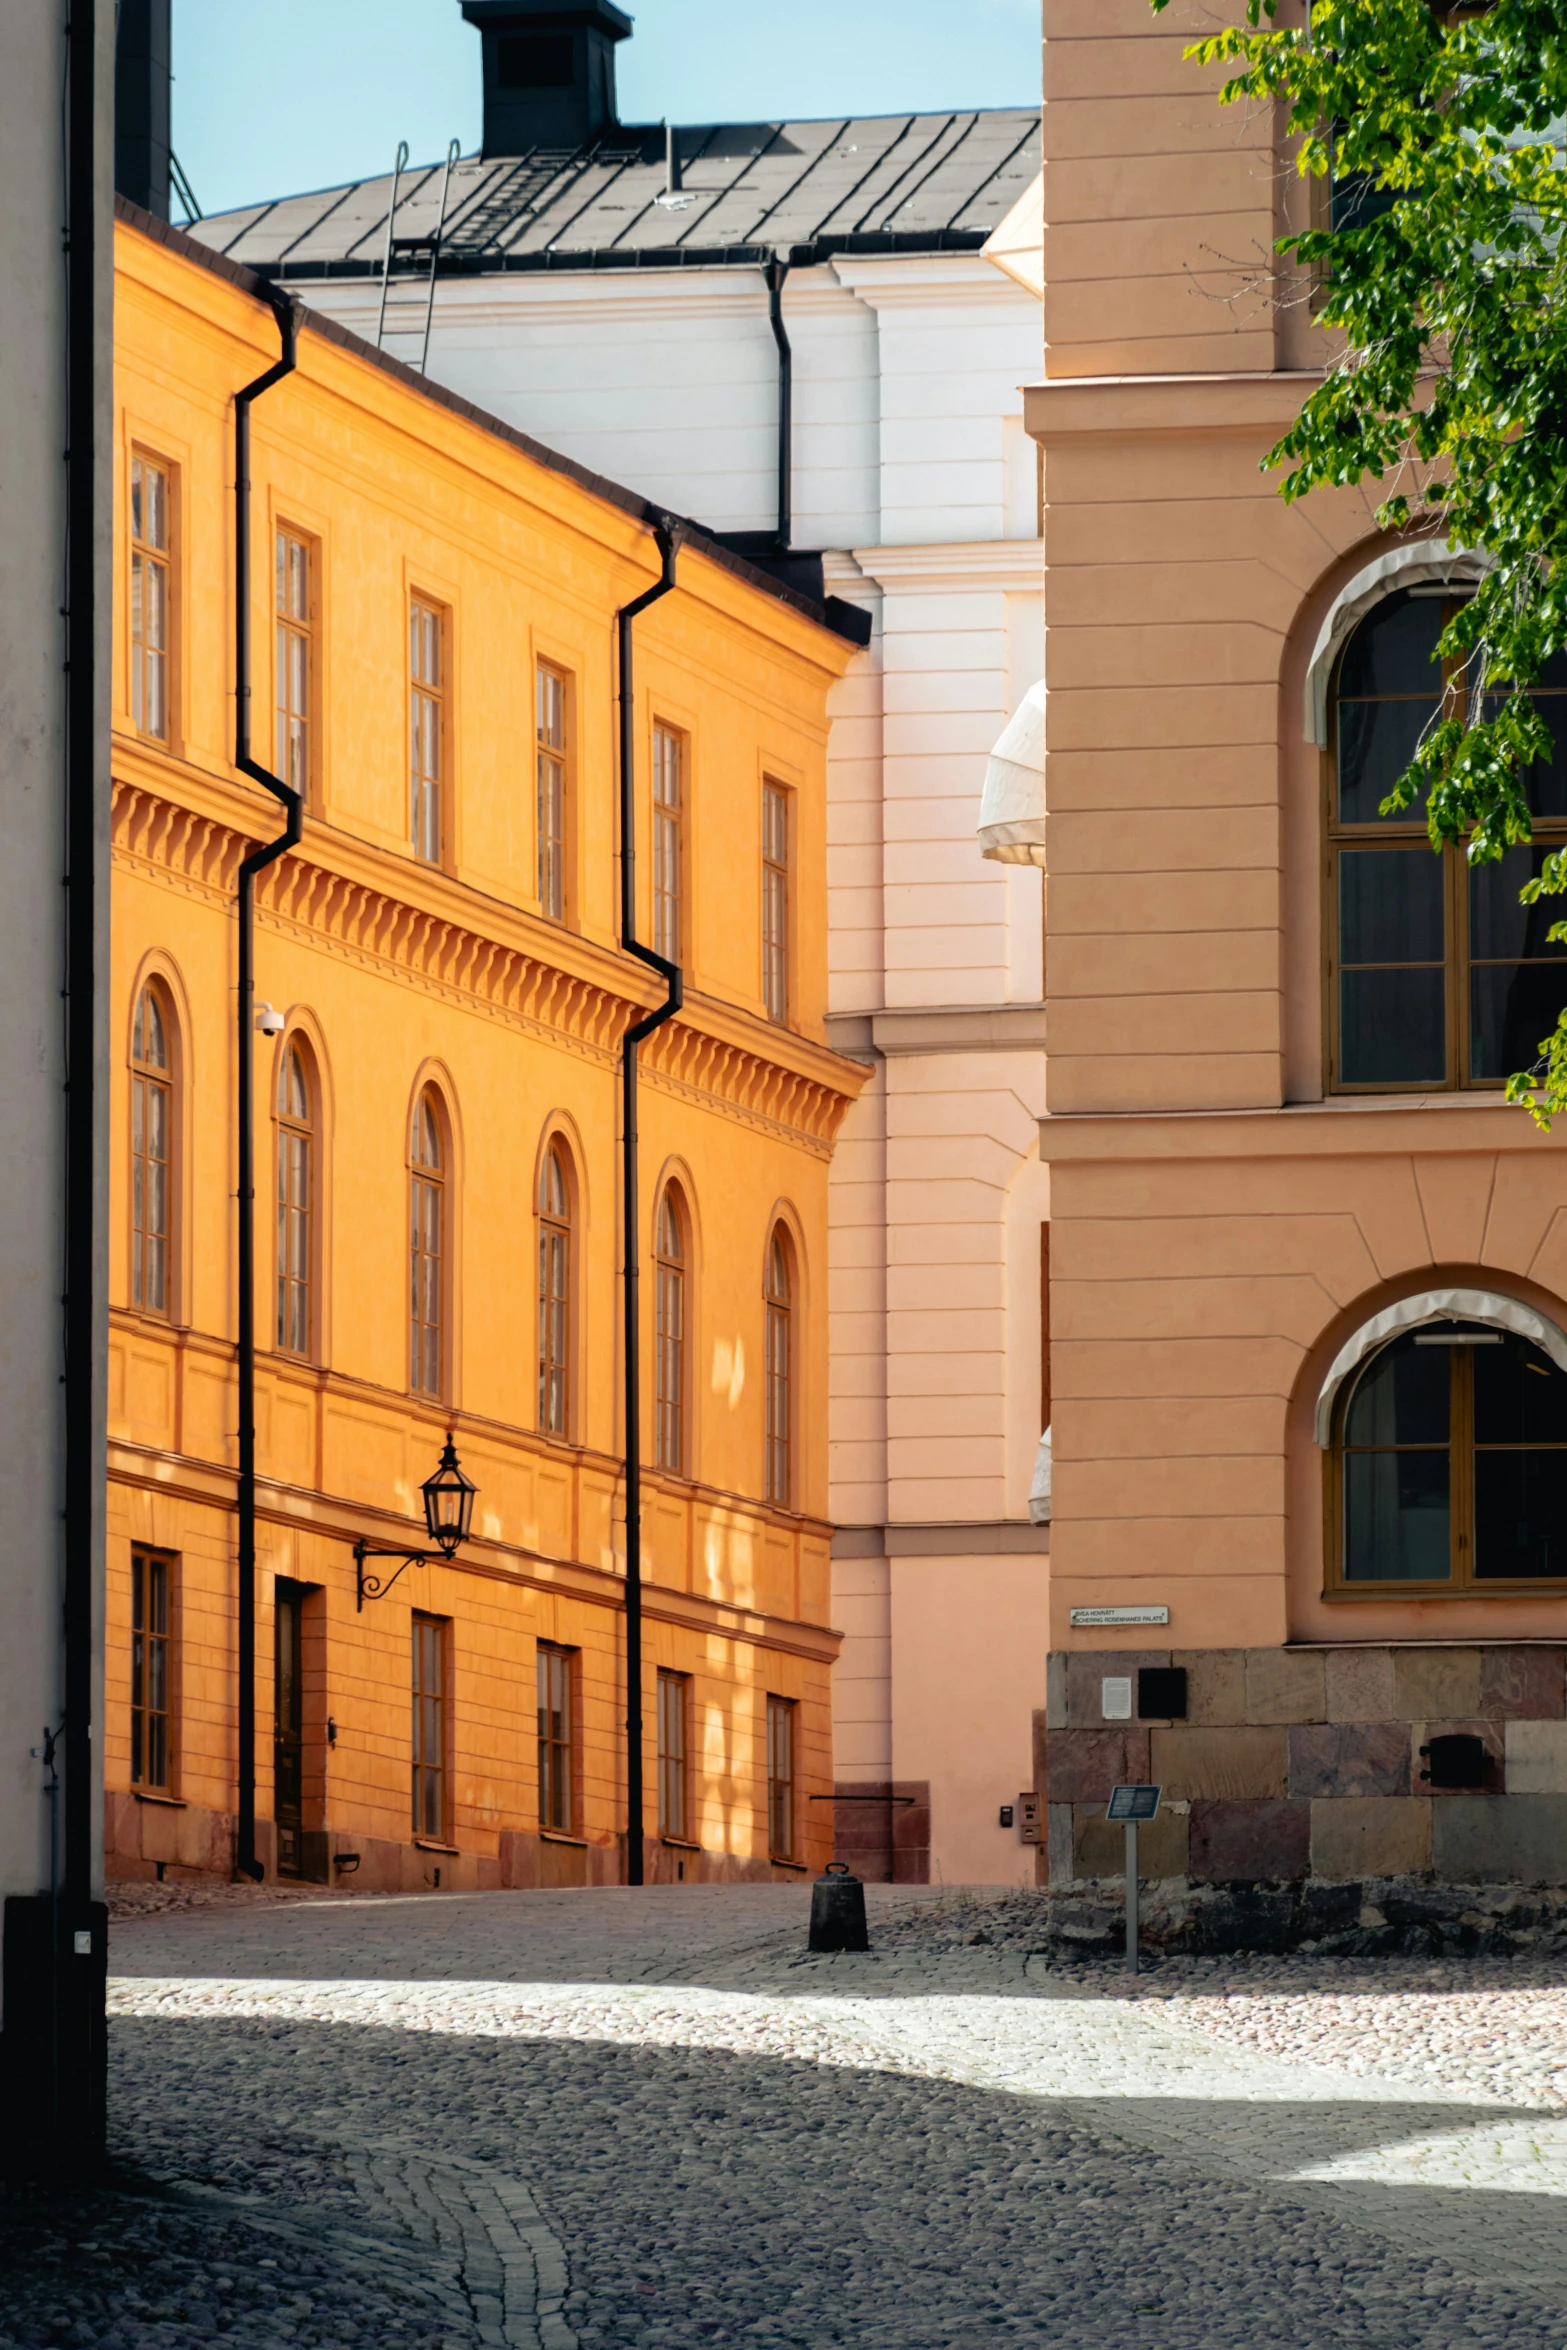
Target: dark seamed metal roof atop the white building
748, 192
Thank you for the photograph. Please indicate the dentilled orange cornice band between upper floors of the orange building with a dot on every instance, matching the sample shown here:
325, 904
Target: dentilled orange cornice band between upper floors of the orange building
713, 1054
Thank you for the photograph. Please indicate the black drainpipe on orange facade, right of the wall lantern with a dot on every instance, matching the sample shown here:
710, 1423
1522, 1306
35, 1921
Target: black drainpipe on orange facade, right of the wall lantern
671, 974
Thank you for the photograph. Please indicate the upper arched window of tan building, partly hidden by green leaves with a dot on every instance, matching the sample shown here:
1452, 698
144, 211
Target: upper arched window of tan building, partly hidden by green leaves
1439, 976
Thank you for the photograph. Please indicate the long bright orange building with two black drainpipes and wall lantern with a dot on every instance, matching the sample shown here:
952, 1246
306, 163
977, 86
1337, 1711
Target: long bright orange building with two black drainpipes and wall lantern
440, 1002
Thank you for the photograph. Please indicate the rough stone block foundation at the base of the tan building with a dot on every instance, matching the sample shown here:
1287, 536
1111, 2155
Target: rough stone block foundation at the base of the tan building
1303, 1768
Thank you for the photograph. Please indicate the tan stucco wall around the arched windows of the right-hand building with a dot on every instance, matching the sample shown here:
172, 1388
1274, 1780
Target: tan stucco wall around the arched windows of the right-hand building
1220, 1226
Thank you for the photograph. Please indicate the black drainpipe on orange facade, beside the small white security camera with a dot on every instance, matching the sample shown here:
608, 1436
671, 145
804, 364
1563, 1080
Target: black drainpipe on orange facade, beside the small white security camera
288, 328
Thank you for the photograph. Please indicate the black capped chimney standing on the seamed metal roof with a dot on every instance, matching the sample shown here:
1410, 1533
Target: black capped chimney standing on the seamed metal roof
549, 72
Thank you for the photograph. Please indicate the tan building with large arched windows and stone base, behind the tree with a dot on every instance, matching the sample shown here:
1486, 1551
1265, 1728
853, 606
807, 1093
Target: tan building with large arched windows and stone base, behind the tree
1310, 1273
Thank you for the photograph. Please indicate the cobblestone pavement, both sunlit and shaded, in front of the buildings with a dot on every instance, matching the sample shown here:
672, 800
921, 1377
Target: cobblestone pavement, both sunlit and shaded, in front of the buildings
596, 2119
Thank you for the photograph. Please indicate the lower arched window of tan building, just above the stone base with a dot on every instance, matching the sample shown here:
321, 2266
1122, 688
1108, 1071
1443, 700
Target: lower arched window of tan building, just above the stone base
1448, 1463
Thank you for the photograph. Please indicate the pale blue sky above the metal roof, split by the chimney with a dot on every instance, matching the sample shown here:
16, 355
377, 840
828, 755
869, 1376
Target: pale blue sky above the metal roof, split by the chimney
283, 95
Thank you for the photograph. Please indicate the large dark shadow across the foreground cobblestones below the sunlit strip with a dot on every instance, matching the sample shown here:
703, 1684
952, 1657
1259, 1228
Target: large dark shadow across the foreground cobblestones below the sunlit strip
713, 2198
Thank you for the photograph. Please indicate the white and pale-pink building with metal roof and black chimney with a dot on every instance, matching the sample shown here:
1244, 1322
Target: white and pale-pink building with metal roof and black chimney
657, 307
